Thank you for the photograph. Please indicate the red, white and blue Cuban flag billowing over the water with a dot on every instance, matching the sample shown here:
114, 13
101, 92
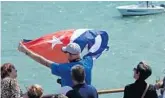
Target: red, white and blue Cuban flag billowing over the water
93, 42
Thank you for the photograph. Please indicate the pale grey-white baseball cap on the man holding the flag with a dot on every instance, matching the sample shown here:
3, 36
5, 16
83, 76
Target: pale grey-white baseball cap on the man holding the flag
72, 48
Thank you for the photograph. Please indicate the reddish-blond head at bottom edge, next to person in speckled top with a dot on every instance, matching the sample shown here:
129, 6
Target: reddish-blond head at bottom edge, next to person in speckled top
34, 91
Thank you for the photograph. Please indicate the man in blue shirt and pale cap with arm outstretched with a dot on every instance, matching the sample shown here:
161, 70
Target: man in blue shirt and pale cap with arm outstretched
73, 51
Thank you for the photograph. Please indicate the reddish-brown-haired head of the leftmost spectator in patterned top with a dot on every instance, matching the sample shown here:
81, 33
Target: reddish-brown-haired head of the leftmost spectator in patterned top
8, 70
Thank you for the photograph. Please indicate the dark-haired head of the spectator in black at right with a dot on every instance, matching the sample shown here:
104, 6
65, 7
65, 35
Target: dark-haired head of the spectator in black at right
142, 71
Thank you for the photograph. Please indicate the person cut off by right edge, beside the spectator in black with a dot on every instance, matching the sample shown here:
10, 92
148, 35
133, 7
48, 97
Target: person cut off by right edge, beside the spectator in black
161, 85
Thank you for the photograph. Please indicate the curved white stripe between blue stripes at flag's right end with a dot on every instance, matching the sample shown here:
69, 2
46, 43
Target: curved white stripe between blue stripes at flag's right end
97, 44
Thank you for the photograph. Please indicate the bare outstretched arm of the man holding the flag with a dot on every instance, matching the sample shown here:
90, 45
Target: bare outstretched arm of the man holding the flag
34, 56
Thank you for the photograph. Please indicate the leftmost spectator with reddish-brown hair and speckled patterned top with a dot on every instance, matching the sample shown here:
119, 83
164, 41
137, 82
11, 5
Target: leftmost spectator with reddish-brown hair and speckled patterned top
9, 85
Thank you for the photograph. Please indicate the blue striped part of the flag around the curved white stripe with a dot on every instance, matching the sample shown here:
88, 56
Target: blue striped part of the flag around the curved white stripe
88, 37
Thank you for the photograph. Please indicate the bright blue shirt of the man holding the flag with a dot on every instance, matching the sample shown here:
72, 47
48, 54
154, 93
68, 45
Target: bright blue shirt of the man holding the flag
64, 70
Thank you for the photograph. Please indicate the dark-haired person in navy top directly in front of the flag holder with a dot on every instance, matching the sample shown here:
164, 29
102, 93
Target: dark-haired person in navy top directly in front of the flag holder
80, 88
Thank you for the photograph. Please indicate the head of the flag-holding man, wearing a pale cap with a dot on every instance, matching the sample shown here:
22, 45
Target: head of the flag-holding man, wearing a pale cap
73, 51
